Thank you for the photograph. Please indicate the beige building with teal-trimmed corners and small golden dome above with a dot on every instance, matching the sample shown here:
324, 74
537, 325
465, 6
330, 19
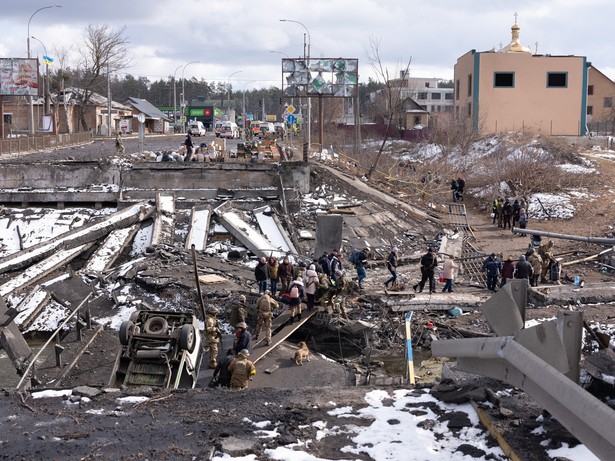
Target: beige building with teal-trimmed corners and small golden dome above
512, 89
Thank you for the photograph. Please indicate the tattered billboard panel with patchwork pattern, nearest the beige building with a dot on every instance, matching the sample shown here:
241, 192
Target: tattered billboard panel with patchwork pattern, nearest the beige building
332, 77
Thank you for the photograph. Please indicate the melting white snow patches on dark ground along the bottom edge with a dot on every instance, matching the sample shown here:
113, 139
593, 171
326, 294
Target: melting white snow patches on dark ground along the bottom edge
398, 426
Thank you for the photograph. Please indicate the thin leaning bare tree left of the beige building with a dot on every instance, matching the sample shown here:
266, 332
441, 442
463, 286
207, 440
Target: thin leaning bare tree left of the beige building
393, 94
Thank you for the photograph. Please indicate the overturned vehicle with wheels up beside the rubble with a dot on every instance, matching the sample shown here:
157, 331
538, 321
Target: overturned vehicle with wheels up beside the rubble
160, 349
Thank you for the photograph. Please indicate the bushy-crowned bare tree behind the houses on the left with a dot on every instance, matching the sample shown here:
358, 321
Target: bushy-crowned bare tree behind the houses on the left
103, 51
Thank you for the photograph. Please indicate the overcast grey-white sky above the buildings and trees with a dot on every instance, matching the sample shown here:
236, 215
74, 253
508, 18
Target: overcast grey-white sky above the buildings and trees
228, 36
